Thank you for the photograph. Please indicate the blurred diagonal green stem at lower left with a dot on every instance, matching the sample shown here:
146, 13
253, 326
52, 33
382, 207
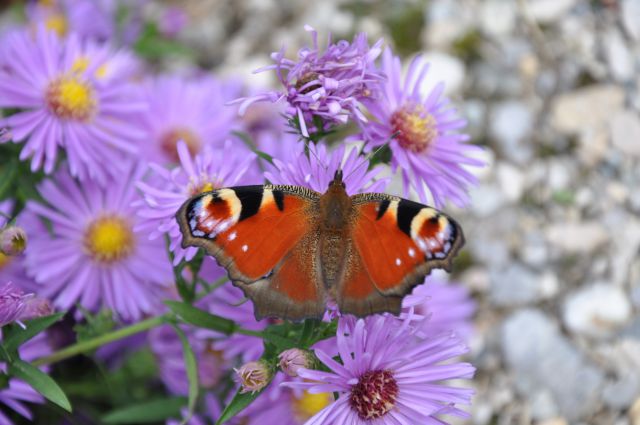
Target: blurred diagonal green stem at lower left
92, 344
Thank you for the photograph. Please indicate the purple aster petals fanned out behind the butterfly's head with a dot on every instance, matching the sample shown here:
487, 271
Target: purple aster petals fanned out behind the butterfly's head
317, 170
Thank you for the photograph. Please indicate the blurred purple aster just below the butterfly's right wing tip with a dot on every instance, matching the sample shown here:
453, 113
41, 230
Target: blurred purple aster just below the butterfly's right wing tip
447, 307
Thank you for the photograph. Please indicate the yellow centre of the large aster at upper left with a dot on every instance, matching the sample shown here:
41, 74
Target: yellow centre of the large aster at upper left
70, 98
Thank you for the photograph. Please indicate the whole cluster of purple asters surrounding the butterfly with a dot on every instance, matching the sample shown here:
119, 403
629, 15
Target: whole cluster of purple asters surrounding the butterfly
121, 148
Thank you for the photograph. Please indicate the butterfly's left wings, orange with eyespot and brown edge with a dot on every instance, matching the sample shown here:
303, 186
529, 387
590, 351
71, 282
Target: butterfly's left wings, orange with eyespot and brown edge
265, 237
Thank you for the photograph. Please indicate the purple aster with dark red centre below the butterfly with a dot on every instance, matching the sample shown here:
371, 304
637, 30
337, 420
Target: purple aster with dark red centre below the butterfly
388, 374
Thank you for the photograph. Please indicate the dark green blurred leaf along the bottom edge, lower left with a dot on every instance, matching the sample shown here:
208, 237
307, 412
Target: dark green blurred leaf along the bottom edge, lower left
146, 412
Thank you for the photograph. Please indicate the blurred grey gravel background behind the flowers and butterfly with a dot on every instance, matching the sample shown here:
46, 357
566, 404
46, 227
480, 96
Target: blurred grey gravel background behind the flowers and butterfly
551, 90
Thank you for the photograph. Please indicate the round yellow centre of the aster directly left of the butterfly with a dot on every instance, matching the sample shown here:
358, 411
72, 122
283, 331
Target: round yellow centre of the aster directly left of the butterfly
109, 239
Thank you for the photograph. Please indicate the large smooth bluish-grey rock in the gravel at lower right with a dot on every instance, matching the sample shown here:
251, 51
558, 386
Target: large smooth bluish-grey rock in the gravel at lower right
541, 359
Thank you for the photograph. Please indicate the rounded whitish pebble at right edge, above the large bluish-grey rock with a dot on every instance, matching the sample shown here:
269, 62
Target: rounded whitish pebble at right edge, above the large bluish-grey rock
597, 311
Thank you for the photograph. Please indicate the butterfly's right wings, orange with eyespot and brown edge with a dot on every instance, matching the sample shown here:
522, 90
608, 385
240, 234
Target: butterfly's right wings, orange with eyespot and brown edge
395, 244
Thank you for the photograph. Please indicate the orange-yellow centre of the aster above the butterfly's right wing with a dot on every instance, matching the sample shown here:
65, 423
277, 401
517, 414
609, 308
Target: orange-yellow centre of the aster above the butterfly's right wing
414, 127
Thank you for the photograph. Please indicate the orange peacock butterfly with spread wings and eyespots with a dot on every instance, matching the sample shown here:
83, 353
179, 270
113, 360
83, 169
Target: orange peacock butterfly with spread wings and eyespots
291, 249
